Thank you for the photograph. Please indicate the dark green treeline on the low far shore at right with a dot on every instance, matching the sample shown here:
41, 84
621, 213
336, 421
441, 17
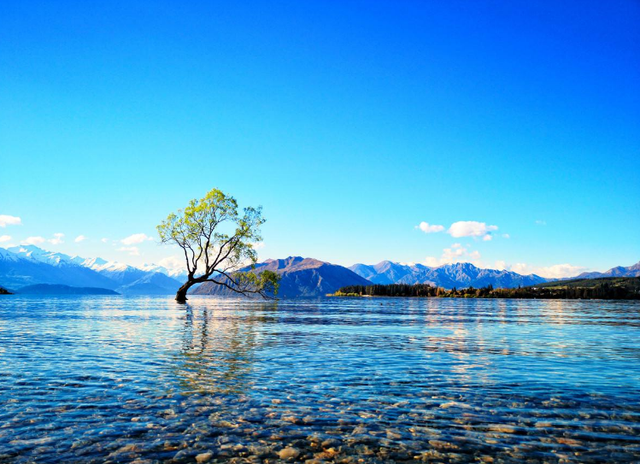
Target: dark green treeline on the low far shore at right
602, 289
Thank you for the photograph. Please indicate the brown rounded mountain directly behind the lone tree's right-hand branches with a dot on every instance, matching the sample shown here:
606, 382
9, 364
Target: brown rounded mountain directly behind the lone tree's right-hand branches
300, 277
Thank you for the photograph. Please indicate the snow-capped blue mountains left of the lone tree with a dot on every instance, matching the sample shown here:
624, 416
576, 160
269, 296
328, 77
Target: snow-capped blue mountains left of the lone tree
29, 265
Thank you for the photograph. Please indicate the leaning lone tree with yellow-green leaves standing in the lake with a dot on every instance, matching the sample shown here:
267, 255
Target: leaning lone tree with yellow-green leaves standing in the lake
217, 242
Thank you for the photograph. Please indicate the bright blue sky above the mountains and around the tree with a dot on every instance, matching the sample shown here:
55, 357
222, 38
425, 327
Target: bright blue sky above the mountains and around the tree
351, 123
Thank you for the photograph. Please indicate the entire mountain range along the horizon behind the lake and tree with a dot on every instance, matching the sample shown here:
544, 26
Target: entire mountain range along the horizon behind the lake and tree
27, 265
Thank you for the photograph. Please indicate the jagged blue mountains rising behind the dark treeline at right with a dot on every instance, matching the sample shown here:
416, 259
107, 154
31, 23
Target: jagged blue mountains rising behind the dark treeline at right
459, 275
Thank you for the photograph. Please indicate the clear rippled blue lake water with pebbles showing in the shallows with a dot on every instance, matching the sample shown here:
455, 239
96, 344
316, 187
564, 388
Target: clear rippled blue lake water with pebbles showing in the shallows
114, 379
